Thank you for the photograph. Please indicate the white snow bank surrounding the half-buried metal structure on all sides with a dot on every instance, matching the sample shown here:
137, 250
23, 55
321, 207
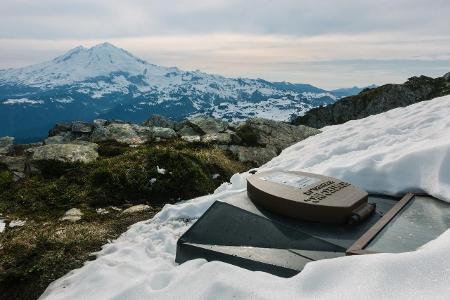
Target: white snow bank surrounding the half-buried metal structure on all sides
406, 149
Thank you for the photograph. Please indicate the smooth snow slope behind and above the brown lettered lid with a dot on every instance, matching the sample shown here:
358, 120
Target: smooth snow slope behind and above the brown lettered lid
402, 150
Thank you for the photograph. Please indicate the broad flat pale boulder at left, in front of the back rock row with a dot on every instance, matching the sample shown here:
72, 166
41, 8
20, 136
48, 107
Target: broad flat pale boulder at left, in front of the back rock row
64, 153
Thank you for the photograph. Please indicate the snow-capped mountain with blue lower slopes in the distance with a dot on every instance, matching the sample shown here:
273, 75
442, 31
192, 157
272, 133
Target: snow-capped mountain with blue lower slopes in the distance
108, 82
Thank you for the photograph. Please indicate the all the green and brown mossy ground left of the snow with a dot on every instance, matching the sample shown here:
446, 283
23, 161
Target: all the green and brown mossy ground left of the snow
46, 248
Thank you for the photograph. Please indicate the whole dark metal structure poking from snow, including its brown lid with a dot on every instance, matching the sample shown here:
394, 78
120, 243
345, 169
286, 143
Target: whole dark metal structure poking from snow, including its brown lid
286, 219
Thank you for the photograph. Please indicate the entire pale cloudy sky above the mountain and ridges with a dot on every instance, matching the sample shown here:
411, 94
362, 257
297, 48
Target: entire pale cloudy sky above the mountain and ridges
328, 43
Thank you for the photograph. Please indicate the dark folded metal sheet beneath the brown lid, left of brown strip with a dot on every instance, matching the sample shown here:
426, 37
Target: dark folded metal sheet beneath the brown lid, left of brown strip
247, 236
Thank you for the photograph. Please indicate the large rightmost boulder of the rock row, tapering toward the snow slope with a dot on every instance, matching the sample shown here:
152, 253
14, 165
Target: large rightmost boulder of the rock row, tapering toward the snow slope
280, 135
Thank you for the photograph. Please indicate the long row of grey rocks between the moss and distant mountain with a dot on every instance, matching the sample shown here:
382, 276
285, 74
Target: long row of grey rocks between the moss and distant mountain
256, 141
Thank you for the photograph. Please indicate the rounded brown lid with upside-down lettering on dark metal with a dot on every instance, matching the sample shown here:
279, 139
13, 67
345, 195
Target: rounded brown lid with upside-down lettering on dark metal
309, 197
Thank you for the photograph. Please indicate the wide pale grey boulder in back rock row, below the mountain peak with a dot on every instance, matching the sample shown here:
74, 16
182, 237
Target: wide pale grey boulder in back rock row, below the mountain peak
130, 134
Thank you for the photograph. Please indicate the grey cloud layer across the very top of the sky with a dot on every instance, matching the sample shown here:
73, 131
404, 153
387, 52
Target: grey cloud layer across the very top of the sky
113, 18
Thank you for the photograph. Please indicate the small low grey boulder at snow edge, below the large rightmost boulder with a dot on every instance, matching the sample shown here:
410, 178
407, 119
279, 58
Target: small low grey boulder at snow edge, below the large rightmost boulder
254, 155
